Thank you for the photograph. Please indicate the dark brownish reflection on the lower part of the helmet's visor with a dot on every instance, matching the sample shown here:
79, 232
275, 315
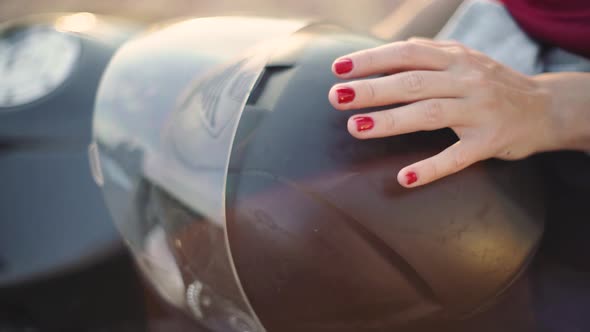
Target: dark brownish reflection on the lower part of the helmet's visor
198, 256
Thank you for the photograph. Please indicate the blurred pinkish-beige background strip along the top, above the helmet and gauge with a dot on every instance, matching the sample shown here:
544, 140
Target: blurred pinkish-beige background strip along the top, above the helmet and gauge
357, 14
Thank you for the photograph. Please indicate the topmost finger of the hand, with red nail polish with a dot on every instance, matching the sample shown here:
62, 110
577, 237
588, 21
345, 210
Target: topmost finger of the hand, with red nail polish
391, 58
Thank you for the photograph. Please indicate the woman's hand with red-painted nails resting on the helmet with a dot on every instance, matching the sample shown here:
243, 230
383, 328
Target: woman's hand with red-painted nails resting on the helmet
495, 111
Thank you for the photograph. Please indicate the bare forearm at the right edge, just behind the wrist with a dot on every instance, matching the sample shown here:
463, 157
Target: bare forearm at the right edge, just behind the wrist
569, 98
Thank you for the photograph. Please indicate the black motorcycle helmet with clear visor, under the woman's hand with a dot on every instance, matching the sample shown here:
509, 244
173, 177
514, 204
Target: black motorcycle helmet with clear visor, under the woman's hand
246, 202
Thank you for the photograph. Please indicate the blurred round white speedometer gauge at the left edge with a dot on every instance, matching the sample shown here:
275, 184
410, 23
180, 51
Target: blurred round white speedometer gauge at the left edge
34, 61
